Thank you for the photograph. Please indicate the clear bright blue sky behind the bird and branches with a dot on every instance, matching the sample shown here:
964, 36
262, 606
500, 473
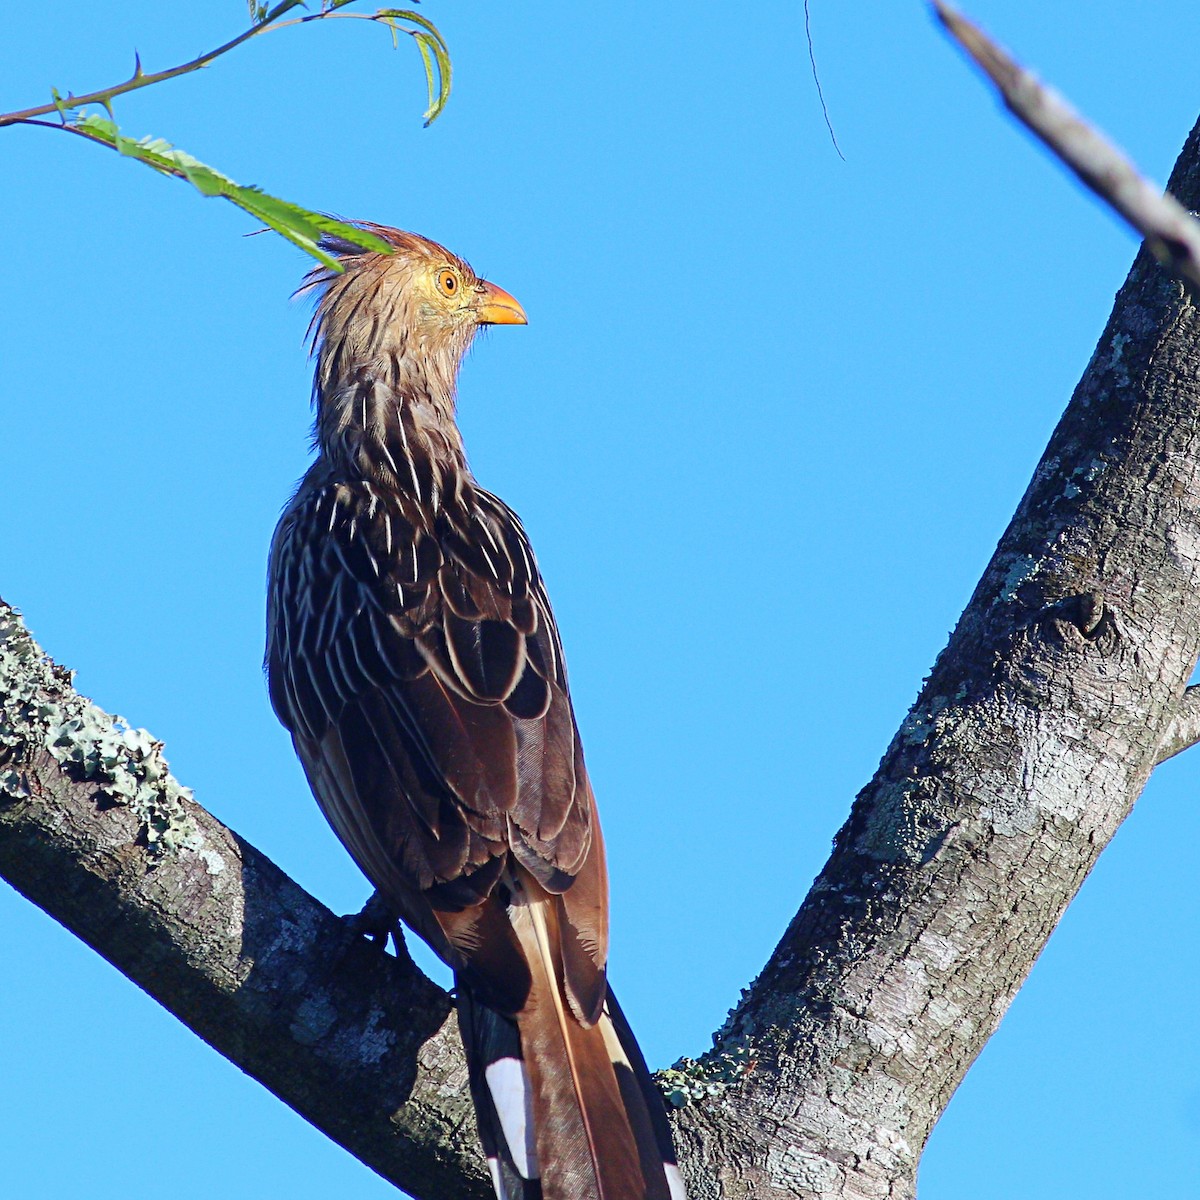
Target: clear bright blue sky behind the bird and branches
769, 419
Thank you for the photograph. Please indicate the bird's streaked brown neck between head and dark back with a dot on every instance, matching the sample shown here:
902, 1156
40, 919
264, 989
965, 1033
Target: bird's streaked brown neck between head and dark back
393, 423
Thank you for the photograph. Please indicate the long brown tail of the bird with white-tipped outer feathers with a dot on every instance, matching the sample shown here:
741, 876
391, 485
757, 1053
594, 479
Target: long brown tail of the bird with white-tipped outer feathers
567, 1111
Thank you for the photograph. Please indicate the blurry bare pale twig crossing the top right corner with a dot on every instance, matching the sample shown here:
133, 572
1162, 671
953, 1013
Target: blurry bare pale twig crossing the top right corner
1171, 233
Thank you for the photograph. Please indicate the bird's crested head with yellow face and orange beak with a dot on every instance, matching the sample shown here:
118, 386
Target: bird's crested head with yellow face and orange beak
412, 314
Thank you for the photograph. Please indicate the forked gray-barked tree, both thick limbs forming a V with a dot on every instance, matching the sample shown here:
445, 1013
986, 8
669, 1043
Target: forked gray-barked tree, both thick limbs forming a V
1039, 727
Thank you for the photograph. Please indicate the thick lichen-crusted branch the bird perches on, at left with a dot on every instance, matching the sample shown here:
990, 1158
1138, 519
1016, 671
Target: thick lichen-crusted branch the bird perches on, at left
94, 831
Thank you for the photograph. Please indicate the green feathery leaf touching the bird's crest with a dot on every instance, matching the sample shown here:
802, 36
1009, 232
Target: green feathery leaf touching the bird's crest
301, 226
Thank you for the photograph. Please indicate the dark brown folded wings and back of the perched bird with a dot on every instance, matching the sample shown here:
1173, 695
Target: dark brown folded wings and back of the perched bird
419, 669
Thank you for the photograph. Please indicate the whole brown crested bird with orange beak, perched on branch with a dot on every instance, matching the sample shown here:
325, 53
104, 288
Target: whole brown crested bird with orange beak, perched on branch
415, 658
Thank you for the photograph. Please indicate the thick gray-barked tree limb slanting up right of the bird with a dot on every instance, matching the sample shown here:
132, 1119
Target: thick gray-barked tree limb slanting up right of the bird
1028, 747
